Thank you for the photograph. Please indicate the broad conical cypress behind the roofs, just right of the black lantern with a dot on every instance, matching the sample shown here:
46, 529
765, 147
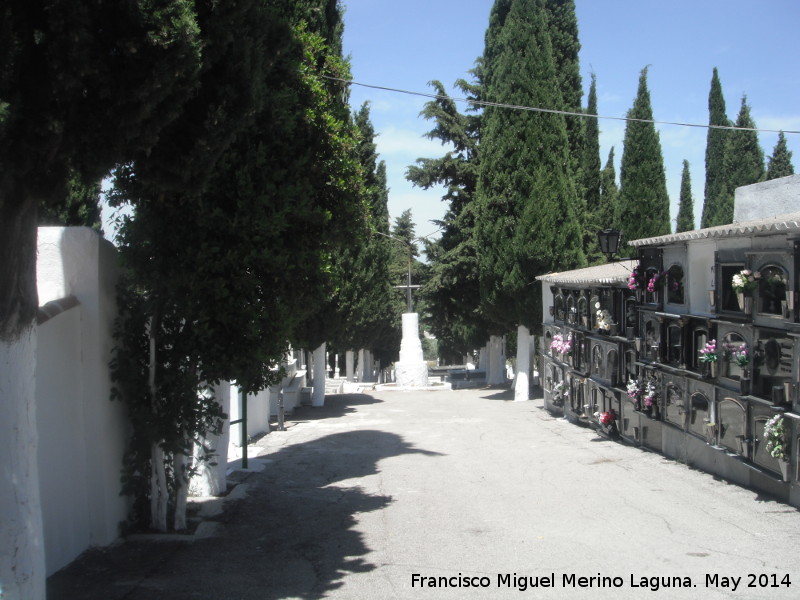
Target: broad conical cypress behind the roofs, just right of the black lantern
643, 199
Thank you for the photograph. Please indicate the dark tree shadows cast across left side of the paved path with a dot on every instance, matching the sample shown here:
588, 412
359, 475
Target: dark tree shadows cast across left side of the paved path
292, 536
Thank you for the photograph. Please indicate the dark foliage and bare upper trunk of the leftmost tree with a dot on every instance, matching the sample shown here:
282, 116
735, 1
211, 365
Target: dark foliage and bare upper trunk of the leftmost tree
83, 85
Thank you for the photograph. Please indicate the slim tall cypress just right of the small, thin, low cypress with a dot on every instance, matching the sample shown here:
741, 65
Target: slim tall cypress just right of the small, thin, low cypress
715, 155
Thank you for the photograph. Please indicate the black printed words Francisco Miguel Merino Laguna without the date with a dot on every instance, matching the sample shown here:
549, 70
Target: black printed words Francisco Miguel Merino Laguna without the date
568, 580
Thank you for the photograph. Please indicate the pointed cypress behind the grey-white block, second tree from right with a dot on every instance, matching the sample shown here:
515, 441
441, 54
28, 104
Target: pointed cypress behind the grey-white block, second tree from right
744, 161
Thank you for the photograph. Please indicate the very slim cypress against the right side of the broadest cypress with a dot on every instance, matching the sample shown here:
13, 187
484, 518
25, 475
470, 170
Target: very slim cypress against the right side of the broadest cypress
589, 205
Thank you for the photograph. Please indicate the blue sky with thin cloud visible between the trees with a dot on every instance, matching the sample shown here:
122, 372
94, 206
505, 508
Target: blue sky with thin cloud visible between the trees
753, 43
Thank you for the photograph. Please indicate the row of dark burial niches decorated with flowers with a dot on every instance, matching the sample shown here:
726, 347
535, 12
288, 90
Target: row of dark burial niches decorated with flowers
729, 383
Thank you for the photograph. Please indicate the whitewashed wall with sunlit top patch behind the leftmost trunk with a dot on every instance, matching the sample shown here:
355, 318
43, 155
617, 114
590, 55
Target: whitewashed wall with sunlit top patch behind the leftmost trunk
82, 434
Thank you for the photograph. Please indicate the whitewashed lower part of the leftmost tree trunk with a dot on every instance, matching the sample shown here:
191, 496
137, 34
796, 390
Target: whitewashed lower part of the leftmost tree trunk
22, 566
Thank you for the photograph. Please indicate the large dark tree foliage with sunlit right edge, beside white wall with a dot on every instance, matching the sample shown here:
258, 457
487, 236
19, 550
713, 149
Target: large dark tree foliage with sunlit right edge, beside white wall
222, 269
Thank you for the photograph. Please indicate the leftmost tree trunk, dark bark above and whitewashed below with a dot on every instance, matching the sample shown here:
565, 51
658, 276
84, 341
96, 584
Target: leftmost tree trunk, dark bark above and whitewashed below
22, 562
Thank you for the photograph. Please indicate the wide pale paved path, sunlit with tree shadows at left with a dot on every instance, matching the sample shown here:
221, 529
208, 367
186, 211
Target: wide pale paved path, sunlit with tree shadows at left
358, 497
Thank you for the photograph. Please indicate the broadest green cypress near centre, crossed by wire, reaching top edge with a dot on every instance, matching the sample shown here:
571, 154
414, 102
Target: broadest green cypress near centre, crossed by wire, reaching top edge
525, 218
